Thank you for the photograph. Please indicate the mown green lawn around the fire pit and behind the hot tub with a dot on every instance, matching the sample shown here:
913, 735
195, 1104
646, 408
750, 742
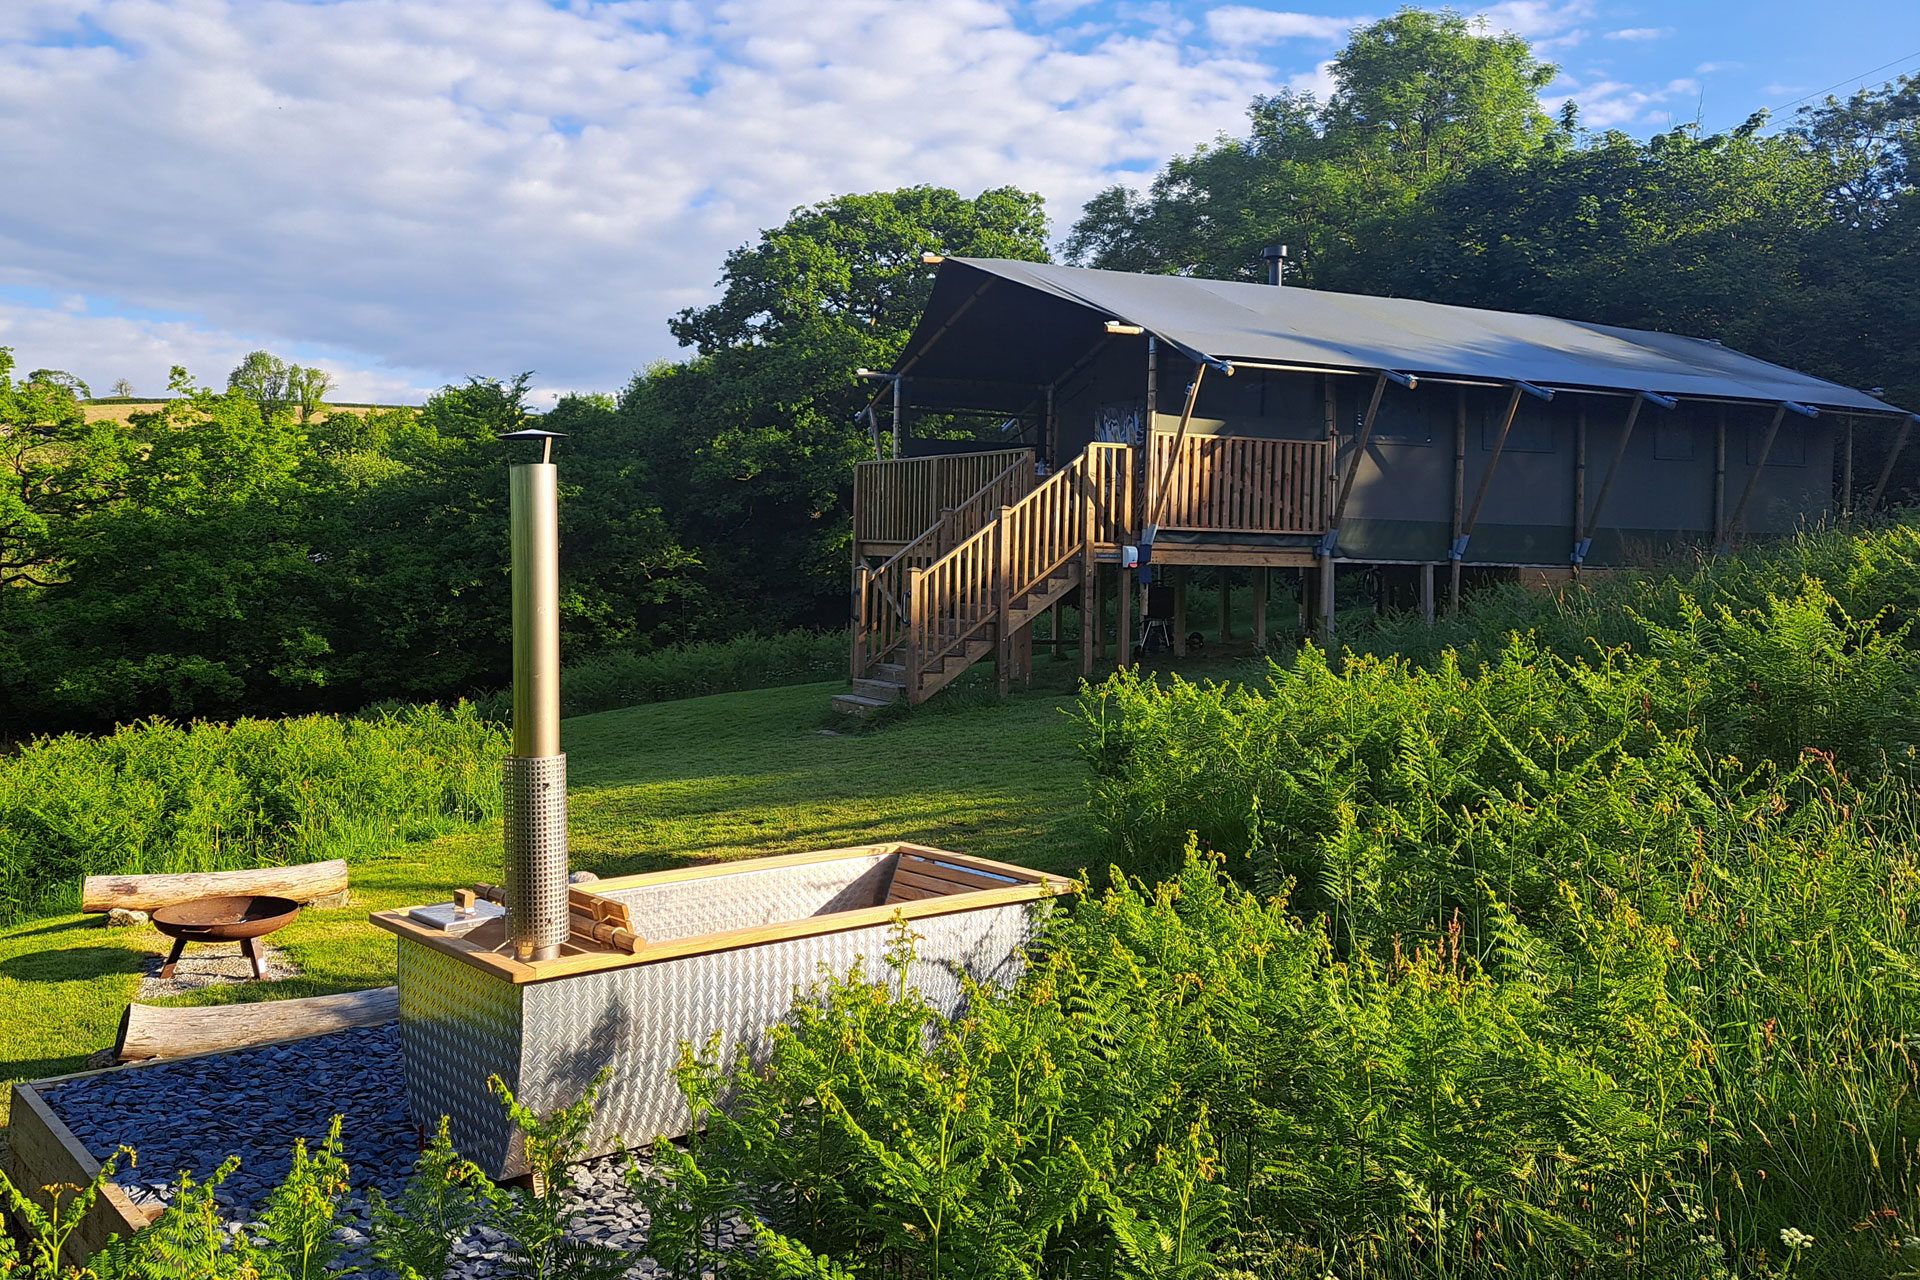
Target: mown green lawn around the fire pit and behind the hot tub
660, 786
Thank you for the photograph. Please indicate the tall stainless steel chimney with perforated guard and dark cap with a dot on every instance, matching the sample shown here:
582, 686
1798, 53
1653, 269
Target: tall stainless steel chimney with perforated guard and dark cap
535, 778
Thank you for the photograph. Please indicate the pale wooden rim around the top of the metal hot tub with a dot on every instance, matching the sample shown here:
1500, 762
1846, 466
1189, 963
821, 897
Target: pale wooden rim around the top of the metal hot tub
1028, 886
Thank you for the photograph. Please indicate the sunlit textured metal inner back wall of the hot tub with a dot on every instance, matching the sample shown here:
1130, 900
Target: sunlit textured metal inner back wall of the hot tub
748, 899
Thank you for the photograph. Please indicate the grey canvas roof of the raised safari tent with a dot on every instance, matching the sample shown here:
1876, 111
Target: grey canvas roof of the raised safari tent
976, 331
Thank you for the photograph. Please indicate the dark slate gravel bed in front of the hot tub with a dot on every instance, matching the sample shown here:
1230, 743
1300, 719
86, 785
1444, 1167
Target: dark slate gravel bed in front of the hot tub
254, 1104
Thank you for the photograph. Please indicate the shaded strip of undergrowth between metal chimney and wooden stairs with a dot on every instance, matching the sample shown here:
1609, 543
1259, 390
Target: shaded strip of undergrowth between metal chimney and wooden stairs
623, 678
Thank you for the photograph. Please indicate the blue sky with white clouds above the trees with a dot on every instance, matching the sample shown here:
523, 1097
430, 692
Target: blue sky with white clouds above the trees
408, 193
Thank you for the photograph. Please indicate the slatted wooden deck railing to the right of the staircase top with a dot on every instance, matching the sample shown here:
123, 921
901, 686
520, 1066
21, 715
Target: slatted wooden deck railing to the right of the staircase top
1239, 485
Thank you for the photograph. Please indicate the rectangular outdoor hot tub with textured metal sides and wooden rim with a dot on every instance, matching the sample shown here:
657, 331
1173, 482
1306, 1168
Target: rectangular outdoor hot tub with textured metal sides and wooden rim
690, 953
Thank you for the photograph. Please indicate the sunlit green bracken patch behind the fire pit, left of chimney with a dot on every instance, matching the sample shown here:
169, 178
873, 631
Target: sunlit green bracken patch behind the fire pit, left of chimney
160, 797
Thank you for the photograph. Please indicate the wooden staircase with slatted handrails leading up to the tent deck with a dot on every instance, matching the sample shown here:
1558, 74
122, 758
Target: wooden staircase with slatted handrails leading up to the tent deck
949, 602
